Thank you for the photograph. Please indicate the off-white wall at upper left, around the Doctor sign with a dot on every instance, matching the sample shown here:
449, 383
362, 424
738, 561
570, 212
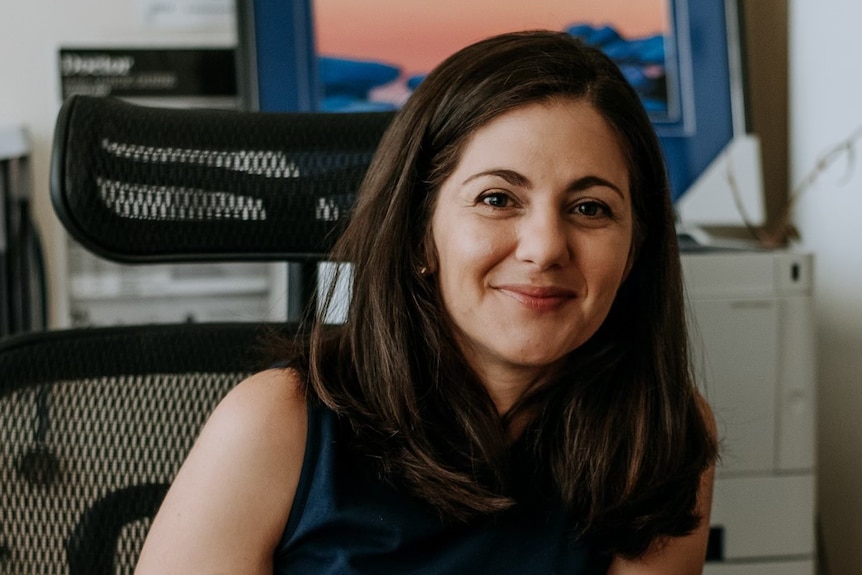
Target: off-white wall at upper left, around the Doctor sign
31, 32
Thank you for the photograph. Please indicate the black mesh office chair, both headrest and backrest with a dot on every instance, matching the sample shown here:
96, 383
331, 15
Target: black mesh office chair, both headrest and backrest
95, 422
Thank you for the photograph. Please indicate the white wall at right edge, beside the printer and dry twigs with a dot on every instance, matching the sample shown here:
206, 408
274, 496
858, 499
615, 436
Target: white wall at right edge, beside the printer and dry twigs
825, 108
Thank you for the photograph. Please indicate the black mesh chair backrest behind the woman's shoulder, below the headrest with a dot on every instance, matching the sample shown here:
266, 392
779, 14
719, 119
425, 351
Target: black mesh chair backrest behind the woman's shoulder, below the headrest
94, 424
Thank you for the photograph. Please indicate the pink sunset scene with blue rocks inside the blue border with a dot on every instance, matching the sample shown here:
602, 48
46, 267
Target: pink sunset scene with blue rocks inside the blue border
373, 53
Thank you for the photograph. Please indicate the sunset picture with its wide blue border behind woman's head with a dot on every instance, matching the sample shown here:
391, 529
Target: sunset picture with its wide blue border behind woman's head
343, 56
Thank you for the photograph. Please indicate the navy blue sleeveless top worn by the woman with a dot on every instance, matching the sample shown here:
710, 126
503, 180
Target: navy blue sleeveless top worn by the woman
346, 522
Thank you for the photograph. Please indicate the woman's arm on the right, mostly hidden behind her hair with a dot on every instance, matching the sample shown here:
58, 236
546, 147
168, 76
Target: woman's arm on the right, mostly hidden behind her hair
679, 555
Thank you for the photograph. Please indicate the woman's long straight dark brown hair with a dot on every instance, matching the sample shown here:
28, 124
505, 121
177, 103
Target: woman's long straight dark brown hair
618, 435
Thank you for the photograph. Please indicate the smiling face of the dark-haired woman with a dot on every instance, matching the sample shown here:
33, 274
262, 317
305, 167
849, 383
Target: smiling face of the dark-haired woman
532, 233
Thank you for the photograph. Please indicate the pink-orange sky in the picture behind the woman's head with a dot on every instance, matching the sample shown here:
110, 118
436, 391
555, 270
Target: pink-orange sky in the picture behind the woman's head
418, 34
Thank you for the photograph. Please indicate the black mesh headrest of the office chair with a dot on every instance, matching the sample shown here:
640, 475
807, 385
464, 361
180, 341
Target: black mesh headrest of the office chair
136, 183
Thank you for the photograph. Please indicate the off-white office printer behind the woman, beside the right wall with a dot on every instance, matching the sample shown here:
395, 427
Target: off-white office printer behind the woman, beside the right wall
753, 348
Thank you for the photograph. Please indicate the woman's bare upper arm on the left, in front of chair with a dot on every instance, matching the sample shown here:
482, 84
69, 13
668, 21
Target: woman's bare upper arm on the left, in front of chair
227, 508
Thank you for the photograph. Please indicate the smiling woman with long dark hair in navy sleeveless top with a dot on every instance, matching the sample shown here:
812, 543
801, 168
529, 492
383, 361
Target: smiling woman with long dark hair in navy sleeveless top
511, 391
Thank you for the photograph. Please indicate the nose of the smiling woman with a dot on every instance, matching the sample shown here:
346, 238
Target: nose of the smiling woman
542, 239
